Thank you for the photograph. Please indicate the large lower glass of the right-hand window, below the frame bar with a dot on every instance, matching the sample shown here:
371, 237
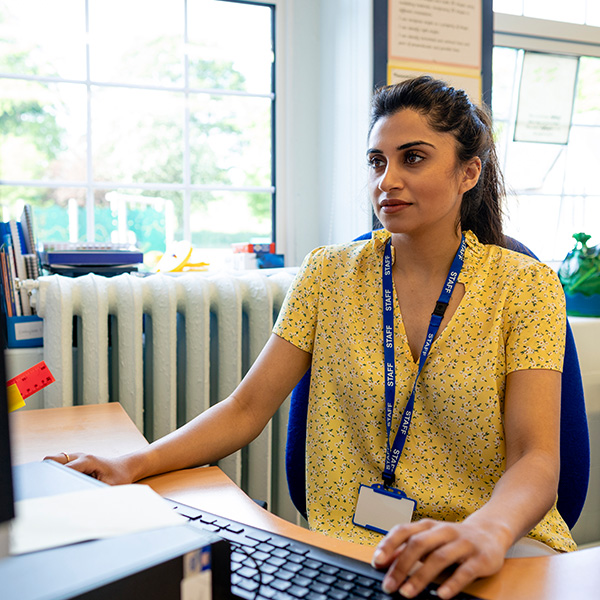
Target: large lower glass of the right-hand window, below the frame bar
553, 189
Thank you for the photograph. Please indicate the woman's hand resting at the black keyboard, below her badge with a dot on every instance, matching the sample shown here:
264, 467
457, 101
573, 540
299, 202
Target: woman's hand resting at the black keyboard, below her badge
416, 553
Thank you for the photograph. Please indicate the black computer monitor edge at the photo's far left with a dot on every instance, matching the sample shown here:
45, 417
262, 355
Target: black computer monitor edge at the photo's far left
7, 510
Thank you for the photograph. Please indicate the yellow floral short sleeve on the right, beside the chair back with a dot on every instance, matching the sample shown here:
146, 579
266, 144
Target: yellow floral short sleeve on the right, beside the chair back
536, 320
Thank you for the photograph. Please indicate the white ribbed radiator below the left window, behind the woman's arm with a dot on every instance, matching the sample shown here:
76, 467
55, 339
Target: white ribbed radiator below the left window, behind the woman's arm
167, 347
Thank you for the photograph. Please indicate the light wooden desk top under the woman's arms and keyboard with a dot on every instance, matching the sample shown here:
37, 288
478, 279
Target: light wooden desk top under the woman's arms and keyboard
107, 430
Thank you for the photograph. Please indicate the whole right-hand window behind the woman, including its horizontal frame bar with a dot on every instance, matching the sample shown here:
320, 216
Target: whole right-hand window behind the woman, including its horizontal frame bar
554, 191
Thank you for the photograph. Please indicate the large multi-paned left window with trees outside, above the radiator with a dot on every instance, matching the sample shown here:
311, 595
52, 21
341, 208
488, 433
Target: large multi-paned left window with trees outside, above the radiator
143, 121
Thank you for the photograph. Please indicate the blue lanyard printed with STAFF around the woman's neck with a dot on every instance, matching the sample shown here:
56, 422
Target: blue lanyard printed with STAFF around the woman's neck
392, 455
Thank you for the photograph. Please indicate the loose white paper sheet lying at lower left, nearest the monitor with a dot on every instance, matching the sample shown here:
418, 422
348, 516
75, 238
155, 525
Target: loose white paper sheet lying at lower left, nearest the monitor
53, 521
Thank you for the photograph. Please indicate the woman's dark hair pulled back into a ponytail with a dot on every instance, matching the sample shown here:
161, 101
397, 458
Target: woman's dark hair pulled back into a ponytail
449, 110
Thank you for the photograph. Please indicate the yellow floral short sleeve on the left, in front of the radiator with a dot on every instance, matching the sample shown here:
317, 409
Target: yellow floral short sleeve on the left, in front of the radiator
297, 318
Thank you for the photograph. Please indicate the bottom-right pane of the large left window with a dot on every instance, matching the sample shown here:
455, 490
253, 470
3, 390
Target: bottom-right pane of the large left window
219, 219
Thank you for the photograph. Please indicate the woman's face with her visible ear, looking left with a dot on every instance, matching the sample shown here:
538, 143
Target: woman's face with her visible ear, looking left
415, 182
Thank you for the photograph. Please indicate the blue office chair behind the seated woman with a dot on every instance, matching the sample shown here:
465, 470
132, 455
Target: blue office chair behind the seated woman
574, 435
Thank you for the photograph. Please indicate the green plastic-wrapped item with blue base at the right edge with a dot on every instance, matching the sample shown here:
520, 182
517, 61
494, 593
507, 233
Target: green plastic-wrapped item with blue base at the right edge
579, 274
